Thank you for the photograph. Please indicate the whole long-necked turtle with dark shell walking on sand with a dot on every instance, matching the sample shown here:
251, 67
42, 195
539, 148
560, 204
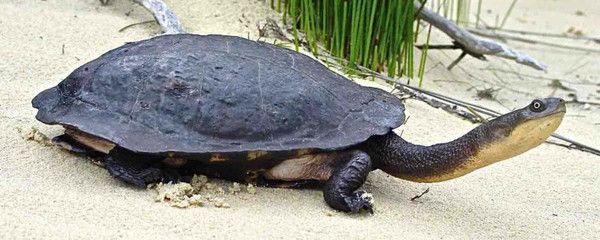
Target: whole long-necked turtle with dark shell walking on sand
168, 107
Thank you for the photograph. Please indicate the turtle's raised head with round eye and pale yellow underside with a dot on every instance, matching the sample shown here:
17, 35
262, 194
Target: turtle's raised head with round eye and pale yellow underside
520, 130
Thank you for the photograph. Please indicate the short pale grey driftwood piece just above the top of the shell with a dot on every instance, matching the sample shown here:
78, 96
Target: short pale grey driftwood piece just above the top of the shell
164, 16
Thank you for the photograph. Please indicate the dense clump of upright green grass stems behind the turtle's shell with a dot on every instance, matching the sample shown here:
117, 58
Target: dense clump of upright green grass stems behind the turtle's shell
377, 34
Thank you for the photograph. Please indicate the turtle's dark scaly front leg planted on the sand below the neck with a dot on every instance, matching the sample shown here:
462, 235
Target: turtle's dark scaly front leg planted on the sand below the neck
341, 189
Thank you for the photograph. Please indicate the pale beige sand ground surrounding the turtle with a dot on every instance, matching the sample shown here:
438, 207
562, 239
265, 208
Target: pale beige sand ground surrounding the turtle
548, 192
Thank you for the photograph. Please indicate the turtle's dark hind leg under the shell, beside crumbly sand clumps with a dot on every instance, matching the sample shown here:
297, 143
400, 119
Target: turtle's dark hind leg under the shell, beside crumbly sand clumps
138, 170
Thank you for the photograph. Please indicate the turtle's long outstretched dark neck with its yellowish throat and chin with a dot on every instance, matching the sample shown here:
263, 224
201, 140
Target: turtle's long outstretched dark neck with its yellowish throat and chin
490, 142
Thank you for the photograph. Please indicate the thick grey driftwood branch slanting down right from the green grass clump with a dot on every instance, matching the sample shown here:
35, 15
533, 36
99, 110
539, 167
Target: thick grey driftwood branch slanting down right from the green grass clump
472, 44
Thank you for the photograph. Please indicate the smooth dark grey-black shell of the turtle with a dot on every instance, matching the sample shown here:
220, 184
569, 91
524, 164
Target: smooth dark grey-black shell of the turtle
205, 94
